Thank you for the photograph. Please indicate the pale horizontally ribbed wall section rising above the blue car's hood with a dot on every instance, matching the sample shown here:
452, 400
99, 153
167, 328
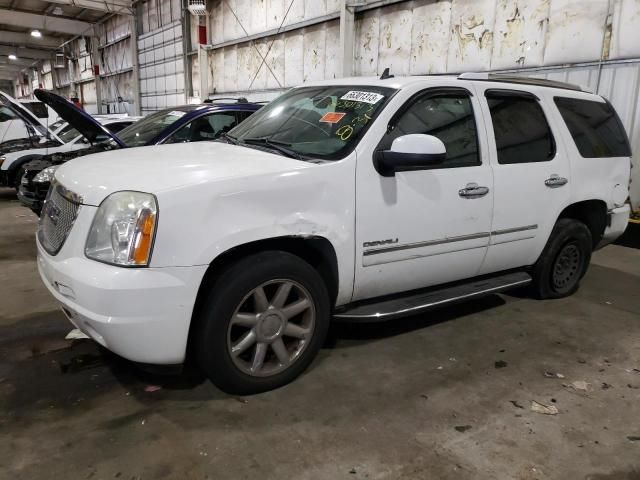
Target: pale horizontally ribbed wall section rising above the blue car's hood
161, 55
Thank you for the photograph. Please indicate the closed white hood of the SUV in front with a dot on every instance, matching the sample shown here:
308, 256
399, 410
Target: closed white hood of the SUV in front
161, 168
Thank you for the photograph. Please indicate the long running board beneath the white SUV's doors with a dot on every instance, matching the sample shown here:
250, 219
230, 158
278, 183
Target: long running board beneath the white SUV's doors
423, 301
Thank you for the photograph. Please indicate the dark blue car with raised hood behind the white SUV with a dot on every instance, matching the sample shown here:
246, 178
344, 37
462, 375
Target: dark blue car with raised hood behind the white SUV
188, 123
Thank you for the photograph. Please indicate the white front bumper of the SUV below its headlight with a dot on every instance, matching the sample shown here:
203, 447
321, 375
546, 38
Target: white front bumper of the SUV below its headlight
142, 314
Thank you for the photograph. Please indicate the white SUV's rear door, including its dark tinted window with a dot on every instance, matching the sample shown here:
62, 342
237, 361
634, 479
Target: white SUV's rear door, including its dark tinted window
532, 177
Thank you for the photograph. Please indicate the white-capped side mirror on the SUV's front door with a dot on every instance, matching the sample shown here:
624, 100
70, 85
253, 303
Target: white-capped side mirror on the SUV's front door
410, 152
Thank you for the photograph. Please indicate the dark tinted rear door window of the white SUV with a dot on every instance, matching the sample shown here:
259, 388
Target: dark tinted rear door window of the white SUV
521, 130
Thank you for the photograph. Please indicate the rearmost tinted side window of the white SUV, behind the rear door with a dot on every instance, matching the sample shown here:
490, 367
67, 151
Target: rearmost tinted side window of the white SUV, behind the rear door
595, 127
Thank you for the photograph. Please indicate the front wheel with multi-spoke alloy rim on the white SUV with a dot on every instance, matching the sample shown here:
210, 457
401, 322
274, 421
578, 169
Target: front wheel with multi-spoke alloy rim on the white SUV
262, 323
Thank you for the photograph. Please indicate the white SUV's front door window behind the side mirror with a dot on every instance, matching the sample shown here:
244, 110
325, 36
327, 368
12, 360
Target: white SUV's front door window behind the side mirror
448, 116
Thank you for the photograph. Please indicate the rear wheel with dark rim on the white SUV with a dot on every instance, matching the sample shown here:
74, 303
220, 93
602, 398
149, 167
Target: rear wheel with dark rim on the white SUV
564, 260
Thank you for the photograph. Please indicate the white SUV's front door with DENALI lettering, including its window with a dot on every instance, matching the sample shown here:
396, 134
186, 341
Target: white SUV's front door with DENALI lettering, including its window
421, 228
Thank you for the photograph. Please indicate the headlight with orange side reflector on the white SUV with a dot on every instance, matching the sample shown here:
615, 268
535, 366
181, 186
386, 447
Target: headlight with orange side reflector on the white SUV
123, 229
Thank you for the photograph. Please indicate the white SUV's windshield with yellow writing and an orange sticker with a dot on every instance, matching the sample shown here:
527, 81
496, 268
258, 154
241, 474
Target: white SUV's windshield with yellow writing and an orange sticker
320, 122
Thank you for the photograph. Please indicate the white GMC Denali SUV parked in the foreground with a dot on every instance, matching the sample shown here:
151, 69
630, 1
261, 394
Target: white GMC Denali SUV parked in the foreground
358, 199
